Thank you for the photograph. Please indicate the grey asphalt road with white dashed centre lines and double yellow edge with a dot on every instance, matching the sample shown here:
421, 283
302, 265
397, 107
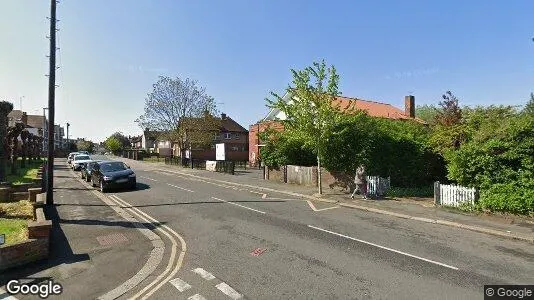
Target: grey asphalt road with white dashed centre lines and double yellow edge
224, 242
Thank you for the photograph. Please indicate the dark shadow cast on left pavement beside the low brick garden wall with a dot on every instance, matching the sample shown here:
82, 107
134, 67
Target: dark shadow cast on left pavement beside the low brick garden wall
60, 253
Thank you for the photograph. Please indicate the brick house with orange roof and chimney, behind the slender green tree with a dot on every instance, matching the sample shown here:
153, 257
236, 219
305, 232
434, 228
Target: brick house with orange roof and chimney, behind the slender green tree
373, 108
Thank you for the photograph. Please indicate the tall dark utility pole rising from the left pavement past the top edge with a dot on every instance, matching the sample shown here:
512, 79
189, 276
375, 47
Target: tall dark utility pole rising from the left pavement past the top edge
51, 106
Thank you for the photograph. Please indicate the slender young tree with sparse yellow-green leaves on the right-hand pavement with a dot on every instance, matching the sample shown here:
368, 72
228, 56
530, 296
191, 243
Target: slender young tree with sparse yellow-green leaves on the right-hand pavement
312, 110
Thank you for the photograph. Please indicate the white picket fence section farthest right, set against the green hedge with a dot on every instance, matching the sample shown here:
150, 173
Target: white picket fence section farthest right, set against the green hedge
454, 195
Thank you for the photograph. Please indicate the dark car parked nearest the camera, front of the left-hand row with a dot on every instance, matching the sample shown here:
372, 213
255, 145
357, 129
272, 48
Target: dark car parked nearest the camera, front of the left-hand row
112, 174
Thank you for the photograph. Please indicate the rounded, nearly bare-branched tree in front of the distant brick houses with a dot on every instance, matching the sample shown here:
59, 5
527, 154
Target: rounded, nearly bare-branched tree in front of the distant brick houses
171, 102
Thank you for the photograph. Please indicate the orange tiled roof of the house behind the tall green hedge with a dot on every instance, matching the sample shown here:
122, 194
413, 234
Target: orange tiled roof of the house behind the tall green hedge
373, 108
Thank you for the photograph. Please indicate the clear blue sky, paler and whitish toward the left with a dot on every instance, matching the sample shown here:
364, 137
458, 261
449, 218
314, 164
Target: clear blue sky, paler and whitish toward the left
111, 52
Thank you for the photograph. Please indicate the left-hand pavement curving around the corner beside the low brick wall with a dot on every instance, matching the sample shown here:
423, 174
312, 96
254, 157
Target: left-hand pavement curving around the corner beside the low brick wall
89, 242
